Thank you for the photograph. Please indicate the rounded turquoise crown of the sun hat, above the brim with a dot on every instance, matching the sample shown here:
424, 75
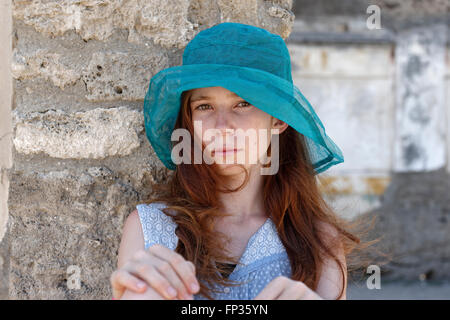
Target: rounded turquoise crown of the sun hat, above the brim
241, 45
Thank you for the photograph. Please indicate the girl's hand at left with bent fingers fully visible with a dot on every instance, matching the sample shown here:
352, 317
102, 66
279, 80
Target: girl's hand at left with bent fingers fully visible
160, 268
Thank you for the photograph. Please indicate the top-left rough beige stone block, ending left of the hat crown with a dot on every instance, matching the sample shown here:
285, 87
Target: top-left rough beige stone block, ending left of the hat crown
164, 22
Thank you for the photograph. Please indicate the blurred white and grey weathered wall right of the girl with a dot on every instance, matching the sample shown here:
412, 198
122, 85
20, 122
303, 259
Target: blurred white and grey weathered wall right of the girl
383, 95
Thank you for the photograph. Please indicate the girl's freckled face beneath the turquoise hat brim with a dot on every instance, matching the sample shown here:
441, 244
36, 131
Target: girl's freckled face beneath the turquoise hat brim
231, 123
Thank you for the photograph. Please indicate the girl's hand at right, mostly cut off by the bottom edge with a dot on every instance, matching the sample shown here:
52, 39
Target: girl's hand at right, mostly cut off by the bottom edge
283, 288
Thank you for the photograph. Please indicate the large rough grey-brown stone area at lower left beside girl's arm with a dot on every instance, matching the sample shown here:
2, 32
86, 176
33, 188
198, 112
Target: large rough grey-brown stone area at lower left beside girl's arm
64, 218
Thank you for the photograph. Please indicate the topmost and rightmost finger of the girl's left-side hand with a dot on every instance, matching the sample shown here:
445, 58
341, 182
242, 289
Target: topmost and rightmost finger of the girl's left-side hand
181, 266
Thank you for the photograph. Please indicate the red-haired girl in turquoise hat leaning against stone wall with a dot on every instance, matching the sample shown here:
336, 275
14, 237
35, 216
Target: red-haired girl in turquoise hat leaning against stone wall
238, 229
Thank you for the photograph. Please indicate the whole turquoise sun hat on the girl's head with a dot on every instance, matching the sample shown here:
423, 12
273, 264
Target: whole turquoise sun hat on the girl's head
249, 61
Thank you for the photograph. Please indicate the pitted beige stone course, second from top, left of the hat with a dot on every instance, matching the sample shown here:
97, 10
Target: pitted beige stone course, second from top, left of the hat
107, 75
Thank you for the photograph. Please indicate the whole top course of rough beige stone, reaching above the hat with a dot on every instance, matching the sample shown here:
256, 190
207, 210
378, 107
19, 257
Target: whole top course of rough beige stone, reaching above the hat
165, 22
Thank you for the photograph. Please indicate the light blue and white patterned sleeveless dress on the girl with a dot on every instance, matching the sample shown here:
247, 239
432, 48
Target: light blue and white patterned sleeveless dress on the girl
264, 257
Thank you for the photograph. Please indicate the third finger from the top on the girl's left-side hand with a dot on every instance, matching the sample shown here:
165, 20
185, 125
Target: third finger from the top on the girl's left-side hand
147, 272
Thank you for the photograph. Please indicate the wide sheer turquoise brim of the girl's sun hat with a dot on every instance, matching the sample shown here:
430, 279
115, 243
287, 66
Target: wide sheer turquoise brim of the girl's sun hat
266, 91
